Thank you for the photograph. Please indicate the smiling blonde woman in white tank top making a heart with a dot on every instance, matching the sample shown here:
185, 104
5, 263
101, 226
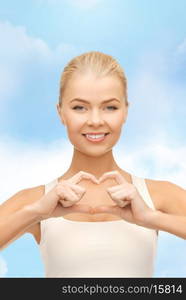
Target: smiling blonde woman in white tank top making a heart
96, 220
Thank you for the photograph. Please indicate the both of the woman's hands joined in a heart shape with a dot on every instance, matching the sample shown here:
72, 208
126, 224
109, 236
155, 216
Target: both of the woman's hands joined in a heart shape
129, 205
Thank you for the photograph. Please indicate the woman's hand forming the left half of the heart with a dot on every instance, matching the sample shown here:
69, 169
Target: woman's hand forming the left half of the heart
62, 199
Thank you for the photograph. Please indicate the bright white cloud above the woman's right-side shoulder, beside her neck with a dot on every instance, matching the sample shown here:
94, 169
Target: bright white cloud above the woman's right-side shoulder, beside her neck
155, 160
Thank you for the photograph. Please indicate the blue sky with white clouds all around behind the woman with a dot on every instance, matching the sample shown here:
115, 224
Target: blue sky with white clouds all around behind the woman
37, 39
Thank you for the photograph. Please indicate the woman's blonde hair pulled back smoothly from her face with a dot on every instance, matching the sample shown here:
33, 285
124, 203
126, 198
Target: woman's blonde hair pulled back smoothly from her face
97, 63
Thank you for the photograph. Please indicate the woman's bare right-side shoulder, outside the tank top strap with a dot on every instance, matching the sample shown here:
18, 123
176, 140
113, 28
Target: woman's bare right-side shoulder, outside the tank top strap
167, 196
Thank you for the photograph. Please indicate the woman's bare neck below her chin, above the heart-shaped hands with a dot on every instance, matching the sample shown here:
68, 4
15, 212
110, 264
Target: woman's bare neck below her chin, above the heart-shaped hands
94, 165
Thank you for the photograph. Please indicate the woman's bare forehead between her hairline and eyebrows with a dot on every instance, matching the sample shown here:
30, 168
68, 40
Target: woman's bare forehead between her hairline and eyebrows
88, 87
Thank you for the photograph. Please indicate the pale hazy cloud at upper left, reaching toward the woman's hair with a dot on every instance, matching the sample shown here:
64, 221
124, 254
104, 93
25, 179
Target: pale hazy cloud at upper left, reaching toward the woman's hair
19, 52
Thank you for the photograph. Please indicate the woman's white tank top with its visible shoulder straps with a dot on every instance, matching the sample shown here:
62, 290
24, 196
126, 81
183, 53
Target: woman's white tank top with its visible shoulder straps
98, 249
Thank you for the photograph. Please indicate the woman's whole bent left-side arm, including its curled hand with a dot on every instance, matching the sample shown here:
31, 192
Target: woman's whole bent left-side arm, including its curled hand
30, 206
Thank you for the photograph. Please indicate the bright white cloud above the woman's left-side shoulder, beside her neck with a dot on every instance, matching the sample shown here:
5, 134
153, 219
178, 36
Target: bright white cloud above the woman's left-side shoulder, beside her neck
25, 165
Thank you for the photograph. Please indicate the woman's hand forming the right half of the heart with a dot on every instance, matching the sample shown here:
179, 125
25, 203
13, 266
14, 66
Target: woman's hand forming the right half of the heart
130, 206
